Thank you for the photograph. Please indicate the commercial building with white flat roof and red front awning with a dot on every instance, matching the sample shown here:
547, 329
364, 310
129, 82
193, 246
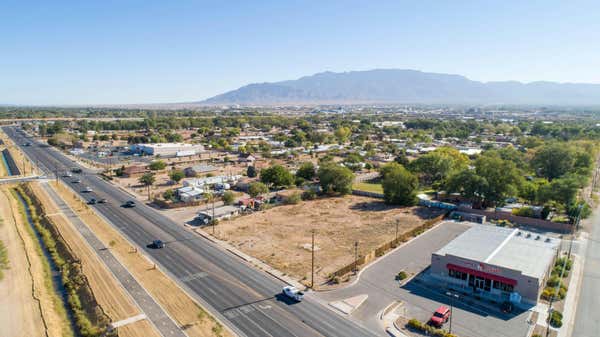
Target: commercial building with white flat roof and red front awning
496, 263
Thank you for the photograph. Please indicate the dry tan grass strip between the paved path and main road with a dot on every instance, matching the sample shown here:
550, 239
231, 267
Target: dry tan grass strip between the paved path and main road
172, 298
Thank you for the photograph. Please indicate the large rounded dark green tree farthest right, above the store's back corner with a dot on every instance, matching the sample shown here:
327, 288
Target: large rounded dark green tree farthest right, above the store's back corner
553, 160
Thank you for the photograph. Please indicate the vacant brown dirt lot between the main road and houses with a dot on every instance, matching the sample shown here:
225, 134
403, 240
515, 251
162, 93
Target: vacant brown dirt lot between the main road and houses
281, 236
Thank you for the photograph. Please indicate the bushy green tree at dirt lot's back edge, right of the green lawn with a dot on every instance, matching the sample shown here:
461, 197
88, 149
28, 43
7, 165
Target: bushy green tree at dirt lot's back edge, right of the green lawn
399, 185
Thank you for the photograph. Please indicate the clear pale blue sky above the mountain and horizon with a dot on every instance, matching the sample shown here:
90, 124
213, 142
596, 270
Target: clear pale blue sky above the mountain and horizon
105, 52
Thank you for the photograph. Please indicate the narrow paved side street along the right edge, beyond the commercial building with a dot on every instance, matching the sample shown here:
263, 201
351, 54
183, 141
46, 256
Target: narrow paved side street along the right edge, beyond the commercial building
587, 323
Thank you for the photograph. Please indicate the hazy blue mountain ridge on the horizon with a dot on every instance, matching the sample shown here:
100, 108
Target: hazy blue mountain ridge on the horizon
406, 86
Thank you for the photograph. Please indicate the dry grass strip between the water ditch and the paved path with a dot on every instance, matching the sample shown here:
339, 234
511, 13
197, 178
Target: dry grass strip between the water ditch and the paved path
108, 292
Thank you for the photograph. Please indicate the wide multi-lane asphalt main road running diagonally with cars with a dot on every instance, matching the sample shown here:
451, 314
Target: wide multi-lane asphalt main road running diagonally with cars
247, 300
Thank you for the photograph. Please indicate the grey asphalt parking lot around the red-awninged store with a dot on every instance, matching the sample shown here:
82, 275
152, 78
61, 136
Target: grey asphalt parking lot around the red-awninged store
418, 299
